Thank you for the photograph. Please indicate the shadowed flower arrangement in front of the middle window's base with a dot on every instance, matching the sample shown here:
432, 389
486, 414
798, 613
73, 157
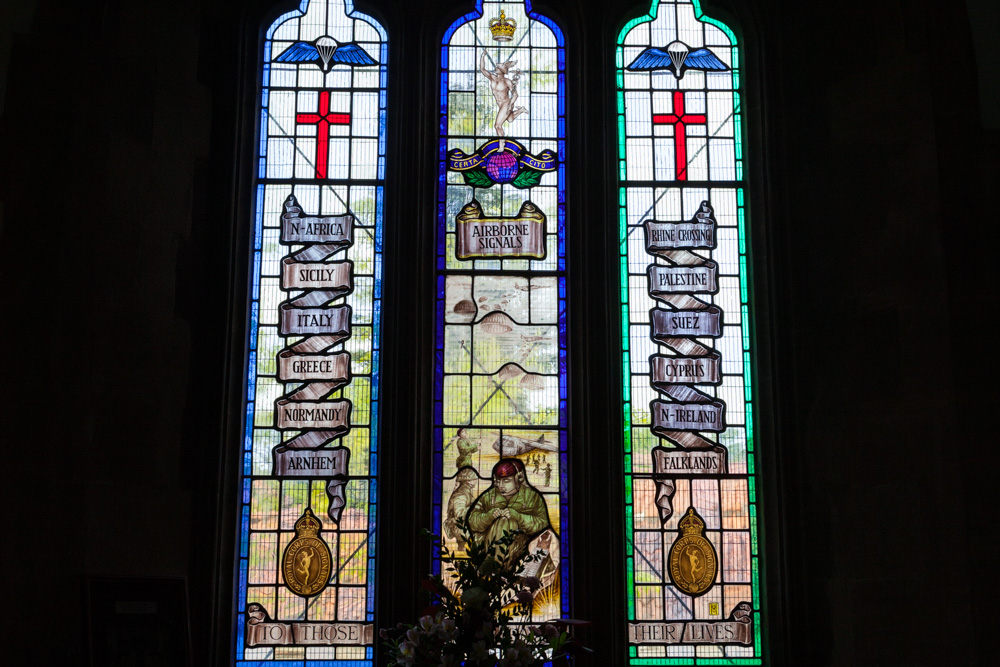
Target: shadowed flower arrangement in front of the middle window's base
486, 621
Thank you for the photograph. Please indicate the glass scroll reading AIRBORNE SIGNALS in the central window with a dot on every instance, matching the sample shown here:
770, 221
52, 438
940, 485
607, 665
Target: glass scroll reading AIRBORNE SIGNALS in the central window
479, 236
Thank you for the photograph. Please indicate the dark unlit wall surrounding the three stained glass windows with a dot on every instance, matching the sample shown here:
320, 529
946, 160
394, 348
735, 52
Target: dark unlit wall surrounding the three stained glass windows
874, 130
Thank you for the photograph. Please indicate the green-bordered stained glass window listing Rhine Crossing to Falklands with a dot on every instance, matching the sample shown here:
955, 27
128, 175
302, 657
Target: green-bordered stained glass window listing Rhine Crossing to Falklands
692, 565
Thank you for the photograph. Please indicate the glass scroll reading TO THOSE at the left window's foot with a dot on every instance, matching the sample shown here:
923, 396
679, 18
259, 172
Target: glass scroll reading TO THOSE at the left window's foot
262, 631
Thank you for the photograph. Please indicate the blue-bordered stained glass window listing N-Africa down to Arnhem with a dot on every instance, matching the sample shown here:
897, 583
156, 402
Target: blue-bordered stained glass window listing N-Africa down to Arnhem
306, 552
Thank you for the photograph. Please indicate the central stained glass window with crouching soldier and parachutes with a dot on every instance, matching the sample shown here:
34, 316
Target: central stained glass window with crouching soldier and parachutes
500, 395
